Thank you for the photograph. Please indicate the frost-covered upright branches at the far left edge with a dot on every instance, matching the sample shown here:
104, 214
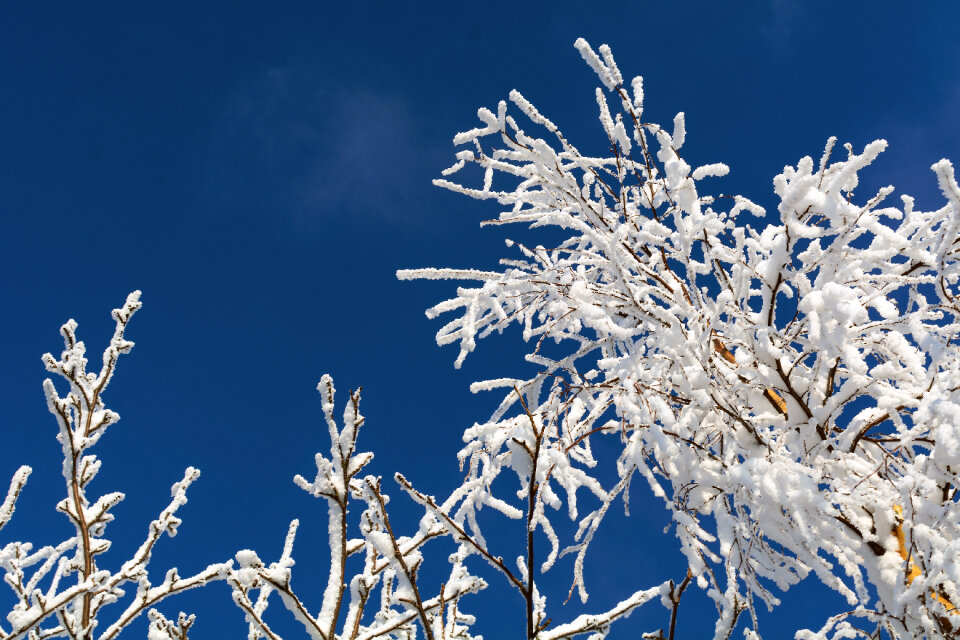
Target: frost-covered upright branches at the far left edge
61, 591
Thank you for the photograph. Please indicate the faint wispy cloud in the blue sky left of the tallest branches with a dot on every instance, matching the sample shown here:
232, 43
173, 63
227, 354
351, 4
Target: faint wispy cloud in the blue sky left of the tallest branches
294, 139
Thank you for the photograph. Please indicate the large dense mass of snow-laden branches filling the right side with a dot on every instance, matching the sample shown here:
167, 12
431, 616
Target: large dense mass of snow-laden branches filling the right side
792, 393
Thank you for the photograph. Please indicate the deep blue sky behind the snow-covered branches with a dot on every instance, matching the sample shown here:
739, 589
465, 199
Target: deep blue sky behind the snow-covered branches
261, 172
